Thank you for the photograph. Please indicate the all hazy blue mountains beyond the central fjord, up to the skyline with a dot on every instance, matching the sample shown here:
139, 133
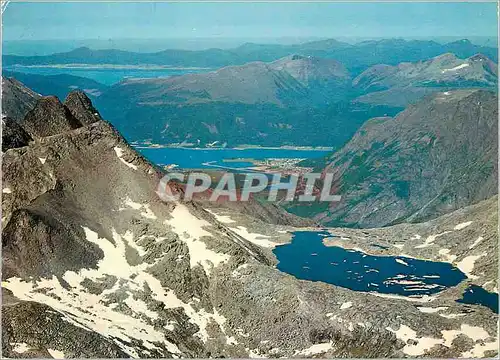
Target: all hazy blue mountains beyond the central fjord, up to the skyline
298, 99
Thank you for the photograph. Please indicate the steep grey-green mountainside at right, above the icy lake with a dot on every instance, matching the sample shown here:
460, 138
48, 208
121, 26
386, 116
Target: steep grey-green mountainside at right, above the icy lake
436, 156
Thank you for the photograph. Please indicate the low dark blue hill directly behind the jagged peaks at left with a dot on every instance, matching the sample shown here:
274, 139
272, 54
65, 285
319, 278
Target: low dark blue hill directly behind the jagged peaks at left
58, 85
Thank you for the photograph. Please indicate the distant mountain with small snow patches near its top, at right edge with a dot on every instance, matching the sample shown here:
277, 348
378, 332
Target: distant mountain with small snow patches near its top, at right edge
408, 82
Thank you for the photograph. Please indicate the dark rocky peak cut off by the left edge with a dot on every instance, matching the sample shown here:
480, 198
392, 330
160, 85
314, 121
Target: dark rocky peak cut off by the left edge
17, 99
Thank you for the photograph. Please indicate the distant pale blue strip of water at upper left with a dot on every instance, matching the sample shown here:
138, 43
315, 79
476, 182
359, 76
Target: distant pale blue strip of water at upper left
107, 76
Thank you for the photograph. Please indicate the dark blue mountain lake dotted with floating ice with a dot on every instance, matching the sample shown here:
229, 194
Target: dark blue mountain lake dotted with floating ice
307, 258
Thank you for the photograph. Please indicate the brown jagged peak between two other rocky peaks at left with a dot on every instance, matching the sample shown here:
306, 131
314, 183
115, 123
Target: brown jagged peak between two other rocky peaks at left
49, 117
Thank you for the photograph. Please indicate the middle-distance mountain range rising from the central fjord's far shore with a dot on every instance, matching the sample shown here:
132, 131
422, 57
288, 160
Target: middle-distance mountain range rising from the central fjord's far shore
295, 100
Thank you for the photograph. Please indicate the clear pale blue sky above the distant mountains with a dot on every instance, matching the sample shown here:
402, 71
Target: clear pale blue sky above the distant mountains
47, 21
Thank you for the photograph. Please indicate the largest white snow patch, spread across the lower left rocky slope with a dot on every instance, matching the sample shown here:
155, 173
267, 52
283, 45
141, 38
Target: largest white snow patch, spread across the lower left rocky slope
90, 310
